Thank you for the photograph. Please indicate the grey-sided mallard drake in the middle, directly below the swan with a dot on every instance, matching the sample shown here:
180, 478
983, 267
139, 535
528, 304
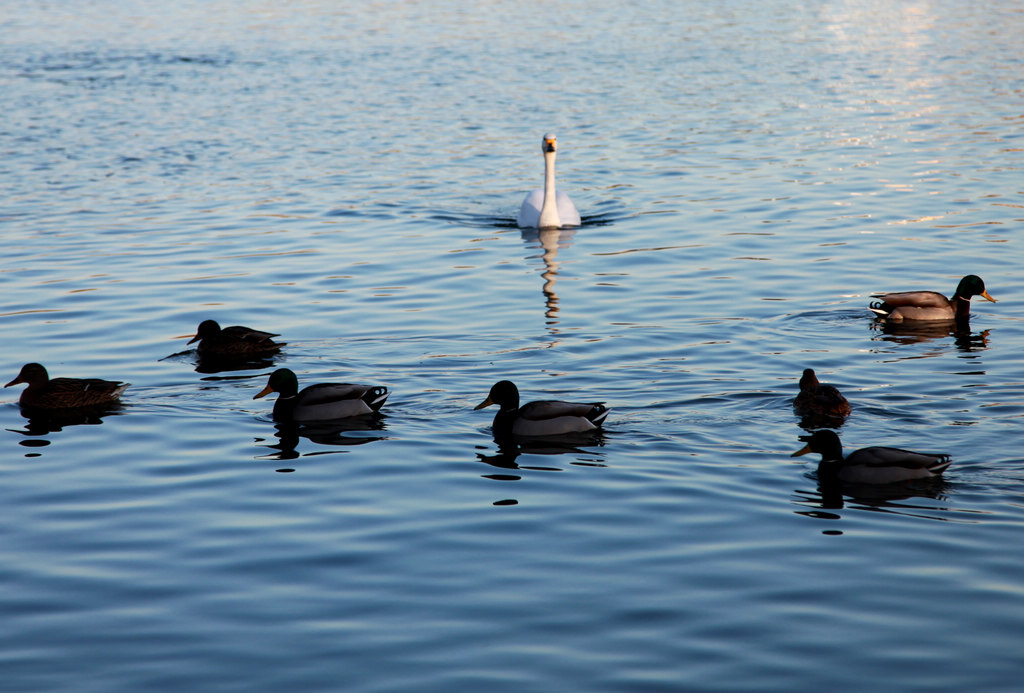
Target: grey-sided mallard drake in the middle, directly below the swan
540, 418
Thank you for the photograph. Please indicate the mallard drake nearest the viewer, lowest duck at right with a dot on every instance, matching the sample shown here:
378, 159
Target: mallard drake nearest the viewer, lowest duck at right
871, 465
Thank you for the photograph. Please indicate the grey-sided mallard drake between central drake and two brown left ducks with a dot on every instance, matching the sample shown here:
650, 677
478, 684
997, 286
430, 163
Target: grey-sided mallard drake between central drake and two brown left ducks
324, 402
